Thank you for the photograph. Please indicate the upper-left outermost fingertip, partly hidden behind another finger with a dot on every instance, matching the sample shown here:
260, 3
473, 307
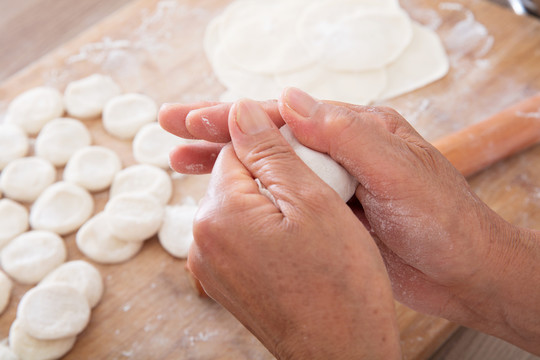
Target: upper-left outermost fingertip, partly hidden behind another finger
172, 117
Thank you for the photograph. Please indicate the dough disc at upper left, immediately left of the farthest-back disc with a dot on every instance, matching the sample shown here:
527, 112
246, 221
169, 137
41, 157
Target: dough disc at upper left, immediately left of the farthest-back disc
32, 109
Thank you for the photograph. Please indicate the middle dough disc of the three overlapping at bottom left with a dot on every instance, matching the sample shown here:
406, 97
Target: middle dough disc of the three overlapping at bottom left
53, 311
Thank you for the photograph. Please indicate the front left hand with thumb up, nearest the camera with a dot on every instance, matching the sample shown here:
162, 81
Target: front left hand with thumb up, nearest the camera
307, 278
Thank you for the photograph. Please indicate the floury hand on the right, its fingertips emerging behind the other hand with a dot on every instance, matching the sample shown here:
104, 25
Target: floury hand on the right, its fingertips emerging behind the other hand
446, 252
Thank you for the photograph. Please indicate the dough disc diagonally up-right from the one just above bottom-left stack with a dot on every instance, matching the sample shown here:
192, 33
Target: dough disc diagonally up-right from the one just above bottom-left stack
62, 208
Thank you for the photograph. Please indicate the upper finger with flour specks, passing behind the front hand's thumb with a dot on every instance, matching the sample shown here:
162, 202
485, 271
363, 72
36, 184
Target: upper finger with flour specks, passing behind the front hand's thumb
211, 123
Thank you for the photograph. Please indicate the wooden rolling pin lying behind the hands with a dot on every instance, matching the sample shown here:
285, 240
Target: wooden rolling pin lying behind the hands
480, 145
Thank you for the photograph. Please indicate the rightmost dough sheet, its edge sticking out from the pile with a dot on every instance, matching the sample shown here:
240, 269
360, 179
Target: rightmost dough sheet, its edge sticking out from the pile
422, 62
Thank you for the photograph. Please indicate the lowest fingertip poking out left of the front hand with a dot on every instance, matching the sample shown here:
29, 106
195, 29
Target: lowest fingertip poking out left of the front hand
194, 159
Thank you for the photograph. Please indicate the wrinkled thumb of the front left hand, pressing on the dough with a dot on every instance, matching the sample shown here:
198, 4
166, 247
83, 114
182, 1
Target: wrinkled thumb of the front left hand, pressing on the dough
264, 152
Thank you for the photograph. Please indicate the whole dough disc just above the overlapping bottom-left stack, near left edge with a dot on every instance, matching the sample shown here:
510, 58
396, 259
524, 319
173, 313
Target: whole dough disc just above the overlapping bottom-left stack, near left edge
31, 256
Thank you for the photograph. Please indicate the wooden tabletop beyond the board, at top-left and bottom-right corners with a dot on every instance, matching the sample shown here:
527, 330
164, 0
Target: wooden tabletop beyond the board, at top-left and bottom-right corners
60, 20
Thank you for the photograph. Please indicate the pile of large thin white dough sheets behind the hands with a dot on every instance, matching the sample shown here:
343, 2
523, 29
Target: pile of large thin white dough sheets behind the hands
356, 51
